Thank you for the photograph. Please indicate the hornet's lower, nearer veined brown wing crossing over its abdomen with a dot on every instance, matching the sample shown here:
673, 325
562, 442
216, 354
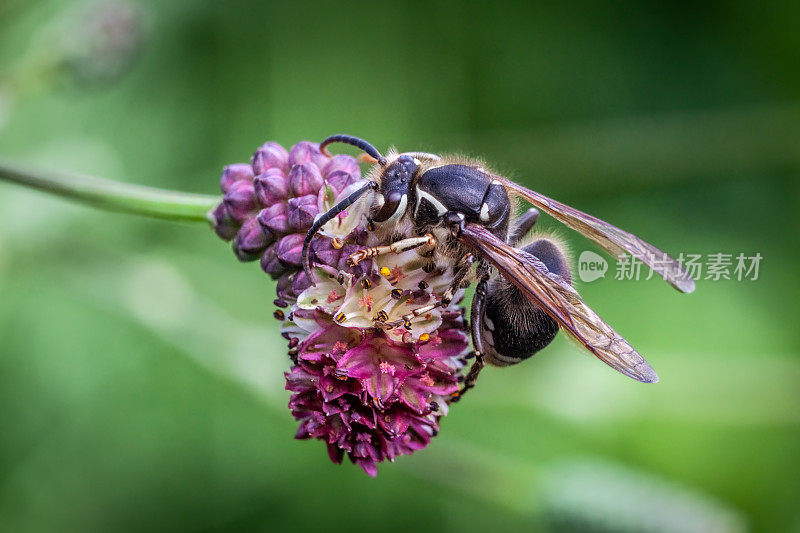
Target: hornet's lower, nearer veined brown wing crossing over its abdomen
559, 300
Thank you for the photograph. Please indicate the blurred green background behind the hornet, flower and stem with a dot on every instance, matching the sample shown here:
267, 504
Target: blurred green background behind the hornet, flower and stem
141, 371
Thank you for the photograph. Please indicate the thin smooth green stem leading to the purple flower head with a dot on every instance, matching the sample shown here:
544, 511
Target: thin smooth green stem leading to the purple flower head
112, 195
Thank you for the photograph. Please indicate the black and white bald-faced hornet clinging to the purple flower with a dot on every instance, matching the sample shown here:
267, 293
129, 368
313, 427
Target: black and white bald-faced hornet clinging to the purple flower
460, 213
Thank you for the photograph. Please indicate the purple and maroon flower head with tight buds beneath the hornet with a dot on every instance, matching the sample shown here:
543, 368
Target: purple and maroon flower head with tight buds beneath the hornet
364, 386
